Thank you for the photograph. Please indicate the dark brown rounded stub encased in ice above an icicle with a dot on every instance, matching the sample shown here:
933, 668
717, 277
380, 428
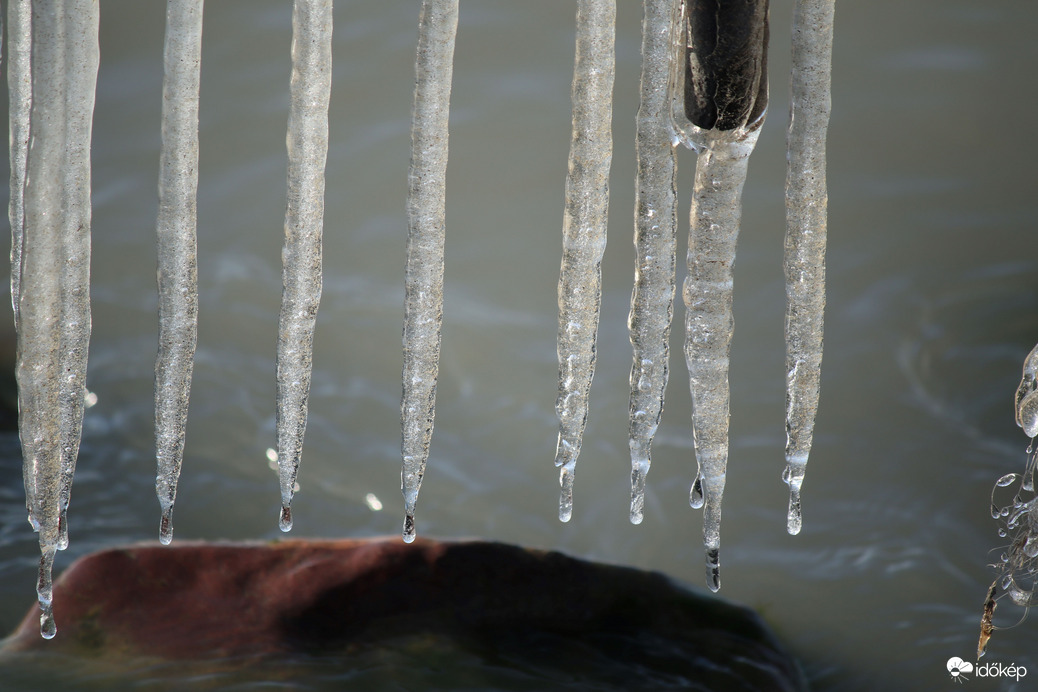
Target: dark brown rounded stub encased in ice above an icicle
726, 63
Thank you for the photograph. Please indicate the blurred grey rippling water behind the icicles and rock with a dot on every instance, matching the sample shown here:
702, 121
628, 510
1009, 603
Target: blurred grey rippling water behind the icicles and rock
933, 306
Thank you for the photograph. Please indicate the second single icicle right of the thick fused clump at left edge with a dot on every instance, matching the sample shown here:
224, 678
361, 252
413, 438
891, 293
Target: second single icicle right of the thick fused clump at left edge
308, 144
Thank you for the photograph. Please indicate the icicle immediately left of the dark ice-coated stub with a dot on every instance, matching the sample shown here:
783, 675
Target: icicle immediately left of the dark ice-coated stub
655, 242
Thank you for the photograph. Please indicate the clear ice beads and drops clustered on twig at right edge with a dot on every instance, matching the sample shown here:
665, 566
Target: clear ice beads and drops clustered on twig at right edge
1018, 566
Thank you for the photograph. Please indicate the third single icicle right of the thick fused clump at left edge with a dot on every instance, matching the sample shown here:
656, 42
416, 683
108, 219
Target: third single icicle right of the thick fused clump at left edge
424, 284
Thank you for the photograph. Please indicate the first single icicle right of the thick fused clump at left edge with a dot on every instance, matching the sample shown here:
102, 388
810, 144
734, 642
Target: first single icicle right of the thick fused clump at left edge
178, 273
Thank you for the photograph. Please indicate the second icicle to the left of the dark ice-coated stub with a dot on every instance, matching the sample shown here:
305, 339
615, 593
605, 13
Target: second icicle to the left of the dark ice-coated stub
584, 231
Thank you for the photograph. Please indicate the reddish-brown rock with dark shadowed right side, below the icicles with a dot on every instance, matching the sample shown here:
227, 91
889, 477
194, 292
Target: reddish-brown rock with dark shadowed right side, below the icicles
549, 619
